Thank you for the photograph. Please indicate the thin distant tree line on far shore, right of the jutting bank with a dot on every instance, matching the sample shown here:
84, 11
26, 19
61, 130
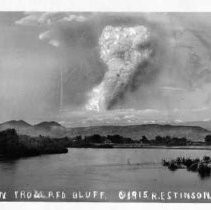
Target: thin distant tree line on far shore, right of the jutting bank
117, 141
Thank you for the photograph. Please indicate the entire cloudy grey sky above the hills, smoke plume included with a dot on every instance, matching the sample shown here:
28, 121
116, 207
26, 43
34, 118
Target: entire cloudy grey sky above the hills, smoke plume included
164, 76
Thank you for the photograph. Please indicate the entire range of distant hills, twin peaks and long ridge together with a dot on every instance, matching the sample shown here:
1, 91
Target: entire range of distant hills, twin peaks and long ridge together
54, 129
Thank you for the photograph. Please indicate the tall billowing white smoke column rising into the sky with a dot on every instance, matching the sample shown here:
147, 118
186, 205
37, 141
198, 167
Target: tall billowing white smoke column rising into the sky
123, 49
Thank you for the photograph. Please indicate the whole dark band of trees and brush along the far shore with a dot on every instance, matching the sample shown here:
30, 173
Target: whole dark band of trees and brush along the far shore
15, 145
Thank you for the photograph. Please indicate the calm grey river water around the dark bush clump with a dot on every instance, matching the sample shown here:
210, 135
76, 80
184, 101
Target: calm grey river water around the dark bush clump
113, 171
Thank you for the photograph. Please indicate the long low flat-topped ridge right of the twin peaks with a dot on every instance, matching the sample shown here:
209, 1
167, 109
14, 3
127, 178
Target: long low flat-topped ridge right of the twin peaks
194, 133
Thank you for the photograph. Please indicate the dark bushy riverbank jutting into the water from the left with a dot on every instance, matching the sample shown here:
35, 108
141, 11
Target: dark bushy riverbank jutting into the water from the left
13, 145
